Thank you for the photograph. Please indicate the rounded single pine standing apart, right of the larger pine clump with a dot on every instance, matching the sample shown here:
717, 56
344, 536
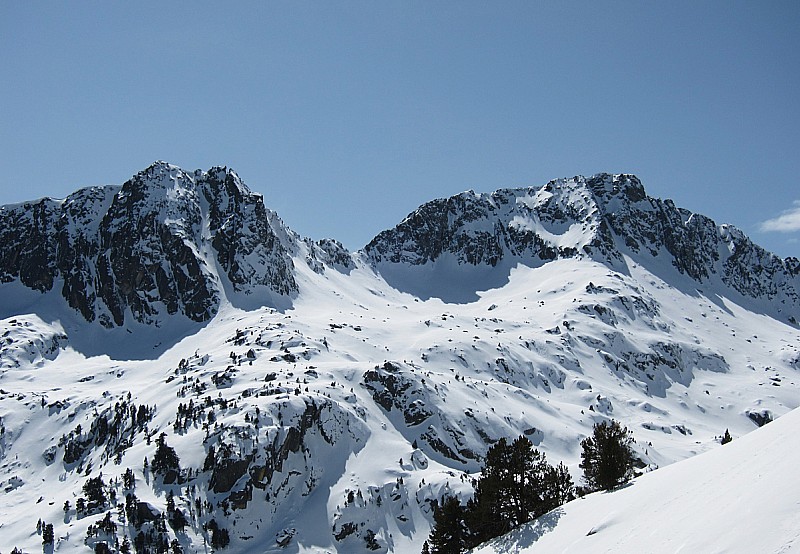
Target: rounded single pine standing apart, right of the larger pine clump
607, 459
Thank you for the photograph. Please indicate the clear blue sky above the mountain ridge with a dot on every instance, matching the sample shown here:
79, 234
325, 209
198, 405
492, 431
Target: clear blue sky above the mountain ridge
348, 115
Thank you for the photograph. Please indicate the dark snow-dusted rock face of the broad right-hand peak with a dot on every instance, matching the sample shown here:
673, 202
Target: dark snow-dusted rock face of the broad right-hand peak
605, 217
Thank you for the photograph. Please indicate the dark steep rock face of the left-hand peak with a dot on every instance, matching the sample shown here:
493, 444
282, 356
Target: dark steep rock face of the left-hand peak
161, 244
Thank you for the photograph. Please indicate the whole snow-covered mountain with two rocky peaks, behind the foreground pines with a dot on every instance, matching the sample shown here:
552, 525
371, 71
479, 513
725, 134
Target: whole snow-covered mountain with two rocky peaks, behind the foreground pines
319, 400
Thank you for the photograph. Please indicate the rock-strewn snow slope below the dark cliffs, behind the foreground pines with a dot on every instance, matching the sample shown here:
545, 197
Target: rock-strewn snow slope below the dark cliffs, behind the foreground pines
465, 375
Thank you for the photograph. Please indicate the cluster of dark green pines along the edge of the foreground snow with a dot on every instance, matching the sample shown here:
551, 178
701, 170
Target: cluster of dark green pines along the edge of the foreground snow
518, 485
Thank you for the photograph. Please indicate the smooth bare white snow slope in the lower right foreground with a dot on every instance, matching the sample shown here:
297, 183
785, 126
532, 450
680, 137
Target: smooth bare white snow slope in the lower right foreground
739, 498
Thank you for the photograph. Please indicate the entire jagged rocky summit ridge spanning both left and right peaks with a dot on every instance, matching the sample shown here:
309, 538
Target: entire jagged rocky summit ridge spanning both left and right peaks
169, 242
